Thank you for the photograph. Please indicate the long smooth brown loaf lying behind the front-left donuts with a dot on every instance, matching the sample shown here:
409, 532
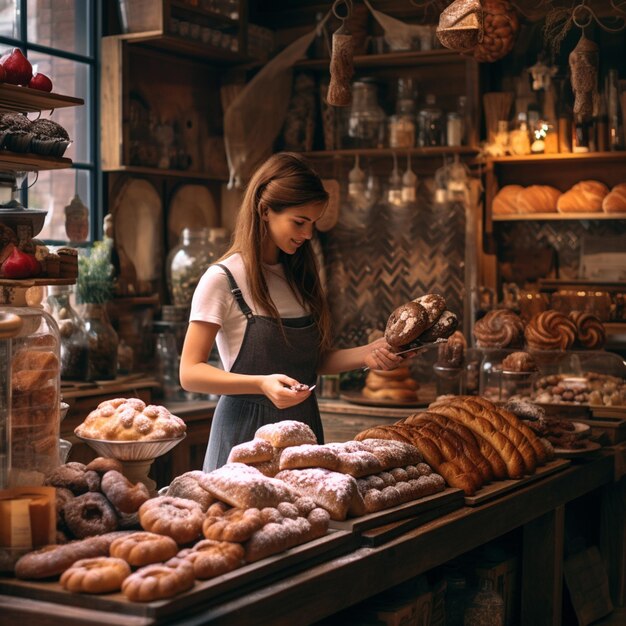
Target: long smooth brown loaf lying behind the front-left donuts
55, 559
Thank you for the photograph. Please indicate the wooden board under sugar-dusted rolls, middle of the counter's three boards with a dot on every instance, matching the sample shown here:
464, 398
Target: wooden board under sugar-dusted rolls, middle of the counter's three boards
434, 503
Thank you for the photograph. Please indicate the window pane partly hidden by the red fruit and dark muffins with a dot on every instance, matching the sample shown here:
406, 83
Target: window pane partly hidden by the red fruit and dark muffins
71, 79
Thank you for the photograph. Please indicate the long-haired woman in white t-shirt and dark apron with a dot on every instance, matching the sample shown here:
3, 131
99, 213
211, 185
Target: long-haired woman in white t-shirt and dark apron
264, 306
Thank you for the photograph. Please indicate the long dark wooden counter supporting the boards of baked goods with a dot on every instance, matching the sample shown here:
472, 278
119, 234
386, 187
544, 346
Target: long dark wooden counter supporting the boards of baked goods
324, 589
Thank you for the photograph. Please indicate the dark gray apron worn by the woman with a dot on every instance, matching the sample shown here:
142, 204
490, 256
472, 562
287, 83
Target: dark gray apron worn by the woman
264, 351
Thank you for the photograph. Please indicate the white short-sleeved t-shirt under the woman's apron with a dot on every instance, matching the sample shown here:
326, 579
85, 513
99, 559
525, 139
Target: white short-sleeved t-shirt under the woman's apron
214, 302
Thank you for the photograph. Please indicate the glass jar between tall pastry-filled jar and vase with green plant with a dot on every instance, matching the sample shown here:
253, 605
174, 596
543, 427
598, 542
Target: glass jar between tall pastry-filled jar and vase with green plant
74, 342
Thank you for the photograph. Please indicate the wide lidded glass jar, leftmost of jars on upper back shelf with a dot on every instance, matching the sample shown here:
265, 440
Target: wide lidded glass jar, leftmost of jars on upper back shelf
366, 124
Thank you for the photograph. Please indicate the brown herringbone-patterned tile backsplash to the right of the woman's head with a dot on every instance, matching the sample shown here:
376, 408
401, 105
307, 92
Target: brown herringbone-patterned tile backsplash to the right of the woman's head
376, 260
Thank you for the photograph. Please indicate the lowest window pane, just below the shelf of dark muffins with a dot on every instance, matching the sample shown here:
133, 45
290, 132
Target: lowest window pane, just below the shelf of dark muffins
52, 192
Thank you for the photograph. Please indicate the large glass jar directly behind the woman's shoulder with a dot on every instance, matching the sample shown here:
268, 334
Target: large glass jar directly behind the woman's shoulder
185, 265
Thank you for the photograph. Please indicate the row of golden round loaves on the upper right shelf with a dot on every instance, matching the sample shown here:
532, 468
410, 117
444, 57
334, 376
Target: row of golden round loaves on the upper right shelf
586, 196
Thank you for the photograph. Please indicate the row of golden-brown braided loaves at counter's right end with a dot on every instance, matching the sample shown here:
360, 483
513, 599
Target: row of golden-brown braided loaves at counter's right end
469, 441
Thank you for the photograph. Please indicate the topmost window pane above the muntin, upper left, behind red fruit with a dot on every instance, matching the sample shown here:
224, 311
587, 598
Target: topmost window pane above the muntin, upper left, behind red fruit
60, 24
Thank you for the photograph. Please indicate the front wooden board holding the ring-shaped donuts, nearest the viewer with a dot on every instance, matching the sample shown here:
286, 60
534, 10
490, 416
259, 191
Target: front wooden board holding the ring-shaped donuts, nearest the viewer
234, 584
